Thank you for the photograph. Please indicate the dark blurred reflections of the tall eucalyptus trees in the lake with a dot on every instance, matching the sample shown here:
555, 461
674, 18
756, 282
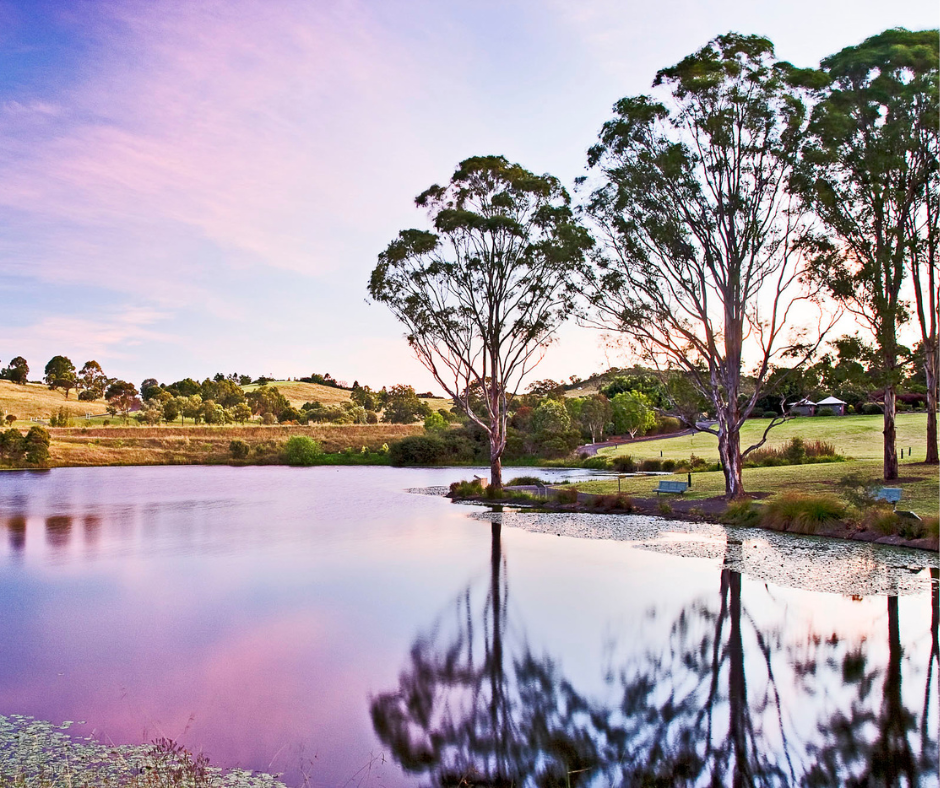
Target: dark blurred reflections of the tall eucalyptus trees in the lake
682, 716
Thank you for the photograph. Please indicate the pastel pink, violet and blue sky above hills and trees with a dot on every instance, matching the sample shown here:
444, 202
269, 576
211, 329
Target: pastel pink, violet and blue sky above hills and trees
196, 186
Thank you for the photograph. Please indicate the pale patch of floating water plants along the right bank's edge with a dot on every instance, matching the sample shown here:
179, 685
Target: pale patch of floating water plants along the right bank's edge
811, 563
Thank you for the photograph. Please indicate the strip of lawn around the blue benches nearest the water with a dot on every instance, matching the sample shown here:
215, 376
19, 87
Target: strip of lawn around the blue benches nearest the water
918, 481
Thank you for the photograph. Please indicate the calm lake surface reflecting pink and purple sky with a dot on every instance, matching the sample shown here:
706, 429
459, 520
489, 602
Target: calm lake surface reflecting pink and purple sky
336, 626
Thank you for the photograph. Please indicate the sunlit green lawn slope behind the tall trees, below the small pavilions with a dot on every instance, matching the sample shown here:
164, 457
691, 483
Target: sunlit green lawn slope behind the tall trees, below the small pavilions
858, 437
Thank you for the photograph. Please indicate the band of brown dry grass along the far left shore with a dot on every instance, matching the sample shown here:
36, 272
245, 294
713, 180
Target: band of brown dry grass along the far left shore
207, 445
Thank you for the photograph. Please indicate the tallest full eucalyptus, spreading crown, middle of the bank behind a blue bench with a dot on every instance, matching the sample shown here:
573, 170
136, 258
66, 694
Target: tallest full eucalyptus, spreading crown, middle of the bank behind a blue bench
698, 268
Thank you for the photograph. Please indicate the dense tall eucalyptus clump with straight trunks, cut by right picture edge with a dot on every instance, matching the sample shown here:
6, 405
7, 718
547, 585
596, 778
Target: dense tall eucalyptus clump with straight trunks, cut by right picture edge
869, 174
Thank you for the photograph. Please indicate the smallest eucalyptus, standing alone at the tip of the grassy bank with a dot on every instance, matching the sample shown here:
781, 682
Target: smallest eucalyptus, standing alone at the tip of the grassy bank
482, 294
